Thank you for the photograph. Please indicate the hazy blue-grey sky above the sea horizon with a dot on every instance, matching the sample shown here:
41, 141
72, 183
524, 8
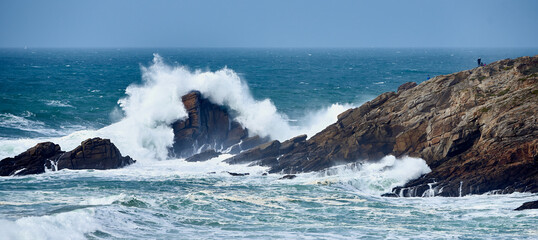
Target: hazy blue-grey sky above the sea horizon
275, 23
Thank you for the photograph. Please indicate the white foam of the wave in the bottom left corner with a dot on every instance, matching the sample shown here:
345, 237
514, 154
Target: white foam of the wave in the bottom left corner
68, 225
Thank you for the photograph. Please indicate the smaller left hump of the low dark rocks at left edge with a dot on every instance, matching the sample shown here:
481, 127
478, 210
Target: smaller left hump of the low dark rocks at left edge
32, 161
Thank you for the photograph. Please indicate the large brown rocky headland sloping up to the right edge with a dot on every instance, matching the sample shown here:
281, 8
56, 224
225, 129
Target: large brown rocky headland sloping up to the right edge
476, 129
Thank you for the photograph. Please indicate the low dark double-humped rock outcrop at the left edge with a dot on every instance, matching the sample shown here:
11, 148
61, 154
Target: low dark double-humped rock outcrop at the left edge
93, 153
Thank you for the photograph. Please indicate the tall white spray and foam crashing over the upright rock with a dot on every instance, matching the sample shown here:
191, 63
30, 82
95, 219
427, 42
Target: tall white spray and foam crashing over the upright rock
144, 132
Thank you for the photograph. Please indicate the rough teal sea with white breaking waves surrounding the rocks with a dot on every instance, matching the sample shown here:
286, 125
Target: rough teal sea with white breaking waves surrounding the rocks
131, 96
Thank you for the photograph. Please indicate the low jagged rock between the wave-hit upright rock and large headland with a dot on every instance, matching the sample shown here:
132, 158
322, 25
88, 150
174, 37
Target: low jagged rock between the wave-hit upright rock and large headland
267, 154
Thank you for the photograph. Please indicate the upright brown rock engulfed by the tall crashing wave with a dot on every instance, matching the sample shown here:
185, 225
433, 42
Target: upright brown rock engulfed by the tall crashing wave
208, 126
